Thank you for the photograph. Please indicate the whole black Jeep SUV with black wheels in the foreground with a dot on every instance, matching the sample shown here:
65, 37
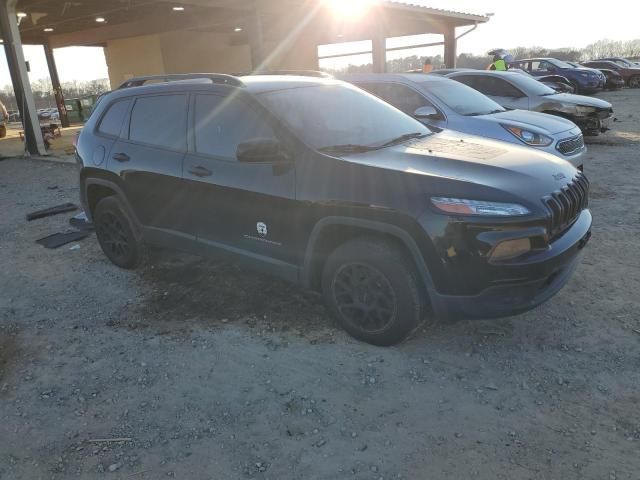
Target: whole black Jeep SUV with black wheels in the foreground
323, 184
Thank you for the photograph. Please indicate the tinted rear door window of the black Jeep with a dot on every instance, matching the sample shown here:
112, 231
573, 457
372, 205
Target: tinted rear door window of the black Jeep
160, 121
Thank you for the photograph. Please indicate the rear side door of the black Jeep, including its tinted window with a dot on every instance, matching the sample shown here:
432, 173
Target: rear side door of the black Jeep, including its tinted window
148, 158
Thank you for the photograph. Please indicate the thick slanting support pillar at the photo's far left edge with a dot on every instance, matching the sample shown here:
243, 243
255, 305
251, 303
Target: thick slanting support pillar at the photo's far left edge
20, 78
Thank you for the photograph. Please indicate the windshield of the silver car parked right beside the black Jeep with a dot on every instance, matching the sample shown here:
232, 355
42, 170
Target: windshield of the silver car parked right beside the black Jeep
462, 99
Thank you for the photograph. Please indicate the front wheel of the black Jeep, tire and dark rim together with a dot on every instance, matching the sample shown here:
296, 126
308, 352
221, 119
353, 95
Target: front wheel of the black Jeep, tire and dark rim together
373, 291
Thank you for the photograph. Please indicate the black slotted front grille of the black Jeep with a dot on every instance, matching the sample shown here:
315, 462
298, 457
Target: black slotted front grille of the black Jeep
566, 204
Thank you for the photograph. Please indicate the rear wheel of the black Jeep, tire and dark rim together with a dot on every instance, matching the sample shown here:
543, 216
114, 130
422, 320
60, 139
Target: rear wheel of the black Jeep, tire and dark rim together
117, 234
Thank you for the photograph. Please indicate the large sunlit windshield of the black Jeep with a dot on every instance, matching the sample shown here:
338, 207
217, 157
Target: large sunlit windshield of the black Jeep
326, 116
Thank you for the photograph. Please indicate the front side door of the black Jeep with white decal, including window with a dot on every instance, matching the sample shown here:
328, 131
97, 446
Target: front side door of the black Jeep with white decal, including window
247, 208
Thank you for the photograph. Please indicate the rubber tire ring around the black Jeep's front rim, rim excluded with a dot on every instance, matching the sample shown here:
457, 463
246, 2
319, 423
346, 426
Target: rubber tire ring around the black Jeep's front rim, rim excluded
391, 263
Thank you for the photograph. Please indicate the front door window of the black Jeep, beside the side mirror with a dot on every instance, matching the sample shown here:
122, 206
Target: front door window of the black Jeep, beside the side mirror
222, 123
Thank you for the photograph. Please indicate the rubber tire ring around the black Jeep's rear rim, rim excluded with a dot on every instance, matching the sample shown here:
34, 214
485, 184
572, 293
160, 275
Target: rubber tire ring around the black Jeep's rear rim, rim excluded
112, 205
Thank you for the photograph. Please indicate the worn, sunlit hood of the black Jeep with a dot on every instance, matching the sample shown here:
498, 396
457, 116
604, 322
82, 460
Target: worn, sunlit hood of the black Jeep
516, 170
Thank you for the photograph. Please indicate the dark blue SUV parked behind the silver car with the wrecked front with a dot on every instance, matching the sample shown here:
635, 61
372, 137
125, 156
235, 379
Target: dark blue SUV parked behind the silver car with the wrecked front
584, 80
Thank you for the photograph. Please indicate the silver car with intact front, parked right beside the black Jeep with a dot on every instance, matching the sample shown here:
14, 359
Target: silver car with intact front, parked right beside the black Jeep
442, 103
